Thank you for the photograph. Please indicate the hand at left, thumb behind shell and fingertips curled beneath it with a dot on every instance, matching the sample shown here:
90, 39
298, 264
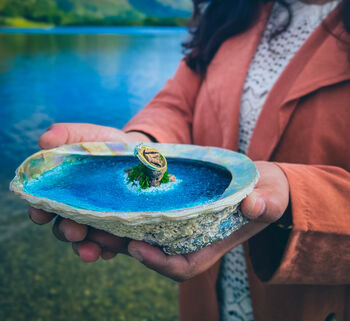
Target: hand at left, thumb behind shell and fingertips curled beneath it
88, 243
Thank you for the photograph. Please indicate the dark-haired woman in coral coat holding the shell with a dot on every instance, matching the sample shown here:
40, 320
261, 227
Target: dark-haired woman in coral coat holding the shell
272, 81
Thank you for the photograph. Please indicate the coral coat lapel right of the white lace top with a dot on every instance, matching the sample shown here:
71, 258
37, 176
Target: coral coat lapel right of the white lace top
320, 62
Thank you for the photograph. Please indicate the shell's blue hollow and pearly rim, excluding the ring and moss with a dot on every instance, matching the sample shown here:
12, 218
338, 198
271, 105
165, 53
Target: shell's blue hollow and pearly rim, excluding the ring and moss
88, 179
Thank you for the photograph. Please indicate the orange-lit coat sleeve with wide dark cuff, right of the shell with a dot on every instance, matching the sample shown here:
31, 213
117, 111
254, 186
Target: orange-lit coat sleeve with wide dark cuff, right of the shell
317, 249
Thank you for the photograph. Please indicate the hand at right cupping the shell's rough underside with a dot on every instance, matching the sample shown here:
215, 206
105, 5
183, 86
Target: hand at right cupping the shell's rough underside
265, 205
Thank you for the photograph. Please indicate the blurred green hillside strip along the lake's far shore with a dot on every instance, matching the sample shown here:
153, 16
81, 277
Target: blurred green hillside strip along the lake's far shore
93, 12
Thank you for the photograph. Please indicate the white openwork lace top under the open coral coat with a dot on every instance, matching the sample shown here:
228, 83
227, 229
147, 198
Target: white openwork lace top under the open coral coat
270, 59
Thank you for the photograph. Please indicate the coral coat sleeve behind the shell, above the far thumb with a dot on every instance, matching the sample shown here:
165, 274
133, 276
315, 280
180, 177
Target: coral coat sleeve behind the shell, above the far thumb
168, 117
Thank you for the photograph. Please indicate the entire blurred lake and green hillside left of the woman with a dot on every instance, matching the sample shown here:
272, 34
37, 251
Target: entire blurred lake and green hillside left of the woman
77, 61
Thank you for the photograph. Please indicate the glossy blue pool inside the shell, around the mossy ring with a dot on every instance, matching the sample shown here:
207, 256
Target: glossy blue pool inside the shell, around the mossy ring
98, 183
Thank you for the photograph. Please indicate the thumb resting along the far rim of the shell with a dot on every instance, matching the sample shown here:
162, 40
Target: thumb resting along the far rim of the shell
70, 133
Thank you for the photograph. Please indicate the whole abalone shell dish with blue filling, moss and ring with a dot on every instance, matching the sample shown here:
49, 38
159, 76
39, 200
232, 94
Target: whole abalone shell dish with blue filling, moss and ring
180, 198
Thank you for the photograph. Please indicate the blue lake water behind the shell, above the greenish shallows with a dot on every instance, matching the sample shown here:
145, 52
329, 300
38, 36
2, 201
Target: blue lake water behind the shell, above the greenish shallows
93, 74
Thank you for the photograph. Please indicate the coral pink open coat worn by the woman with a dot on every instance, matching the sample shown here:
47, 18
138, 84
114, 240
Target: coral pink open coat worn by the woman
305, 127
